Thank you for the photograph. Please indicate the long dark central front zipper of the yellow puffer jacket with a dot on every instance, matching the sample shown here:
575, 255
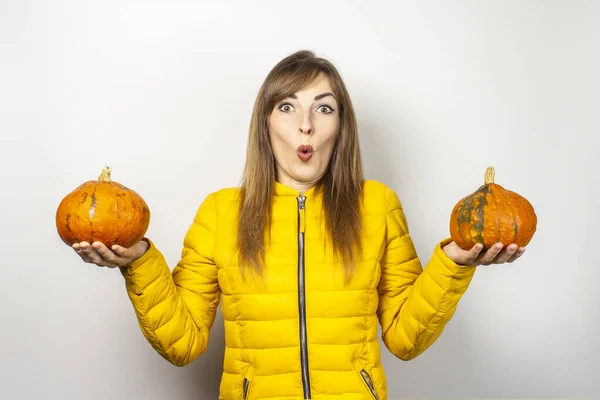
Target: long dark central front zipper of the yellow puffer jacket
302, 299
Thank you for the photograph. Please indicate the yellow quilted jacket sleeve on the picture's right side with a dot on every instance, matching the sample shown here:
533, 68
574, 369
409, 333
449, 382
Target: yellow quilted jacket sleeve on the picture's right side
415, 304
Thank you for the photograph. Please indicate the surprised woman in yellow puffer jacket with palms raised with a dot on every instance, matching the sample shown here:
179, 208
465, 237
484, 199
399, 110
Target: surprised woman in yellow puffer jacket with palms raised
306, 257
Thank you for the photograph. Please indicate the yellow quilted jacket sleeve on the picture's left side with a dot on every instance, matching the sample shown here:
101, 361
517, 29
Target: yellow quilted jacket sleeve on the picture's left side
175, 311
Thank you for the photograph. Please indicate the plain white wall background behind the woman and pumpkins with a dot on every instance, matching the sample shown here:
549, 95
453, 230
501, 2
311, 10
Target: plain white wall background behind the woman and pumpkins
163, 92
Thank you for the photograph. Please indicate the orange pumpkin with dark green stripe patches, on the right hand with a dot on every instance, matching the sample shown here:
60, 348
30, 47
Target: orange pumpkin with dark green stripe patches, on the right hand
492, 214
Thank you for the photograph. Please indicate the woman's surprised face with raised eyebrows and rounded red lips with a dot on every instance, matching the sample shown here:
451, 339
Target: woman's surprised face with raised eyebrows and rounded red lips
303, 129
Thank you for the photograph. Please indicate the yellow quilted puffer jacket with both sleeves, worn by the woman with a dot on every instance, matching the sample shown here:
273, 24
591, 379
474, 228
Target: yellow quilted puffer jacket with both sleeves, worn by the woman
300, 333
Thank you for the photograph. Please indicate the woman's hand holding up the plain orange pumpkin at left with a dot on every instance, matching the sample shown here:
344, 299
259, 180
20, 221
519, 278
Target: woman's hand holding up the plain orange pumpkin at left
97, 253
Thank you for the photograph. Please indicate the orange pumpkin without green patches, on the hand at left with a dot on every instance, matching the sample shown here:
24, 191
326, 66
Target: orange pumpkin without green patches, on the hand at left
102, 210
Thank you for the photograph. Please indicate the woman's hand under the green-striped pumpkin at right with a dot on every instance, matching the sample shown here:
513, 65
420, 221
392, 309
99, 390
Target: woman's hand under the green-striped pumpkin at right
497, 254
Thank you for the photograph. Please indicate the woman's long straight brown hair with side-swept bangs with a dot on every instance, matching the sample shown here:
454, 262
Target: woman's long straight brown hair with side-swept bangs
341, 185
